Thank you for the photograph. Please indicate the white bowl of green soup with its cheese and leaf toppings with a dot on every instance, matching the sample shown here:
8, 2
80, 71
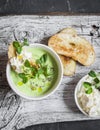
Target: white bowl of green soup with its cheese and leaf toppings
35, 71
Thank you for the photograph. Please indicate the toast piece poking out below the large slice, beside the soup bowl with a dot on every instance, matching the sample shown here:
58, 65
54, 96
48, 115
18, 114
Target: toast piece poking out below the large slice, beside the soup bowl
69, 65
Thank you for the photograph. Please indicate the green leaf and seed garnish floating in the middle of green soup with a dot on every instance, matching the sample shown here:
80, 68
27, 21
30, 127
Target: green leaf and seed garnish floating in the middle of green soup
40, 71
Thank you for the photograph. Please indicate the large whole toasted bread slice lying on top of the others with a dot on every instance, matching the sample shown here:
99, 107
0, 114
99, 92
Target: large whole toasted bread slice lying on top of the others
73, 46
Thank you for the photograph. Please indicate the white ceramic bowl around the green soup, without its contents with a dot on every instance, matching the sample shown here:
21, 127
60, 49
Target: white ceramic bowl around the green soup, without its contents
54, 87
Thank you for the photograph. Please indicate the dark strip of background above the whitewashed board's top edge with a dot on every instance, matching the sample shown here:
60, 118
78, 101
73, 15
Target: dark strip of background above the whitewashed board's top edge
48, 6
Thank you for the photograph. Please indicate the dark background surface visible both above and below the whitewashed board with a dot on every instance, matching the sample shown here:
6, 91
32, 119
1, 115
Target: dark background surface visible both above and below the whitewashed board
13, 7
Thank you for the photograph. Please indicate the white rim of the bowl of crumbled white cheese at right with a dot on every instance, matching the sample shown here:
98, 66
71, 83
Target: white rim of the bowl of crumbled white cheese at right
77, 89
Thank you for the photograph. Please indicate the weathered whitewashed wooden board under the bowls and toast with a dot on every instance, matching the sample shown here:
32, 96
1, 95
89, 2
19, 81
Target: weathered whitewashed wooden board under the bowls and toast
16, 112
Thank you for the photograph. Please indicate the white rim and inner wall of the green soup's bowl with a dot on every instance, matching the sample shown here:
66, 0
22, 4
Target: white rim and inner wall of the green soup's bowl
57, 83
